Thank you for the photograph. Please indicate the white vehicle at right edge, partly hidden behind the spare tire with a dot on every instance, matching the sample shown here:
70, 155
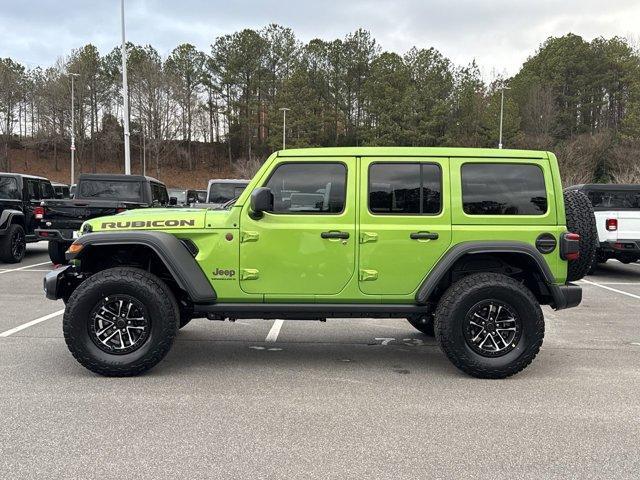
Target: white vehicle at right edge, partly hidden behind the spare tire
617, 211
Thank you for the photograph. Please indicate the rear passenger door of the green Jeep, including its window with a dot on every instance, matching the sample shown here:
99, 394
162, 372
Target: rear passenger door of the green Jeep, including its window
405, 222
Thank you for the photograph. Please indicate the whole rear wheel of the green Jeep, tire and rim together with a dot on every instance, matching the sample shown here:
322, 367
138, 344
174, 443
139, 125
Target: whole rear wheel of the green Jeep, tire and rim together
489, 325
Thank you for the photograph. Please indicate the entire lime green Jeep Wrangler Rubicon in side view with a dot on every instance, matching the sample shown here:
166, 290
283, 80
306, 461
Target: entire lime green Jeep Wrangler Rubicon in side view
466, 244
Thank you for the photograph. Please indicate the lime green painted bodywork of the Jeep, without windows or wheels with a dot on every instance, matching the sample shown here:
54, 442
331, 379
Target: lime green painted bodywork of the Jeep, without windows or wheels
282, 257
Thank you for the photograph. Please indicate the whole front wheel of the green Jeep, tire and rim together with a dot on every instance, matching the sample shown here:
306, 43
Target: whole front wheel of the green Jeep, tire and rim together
121, 321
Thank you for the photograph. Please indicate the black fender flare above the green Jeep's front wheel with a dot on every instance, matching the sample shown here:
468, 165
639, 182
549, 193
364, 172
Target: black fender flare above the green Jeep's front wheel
173, 253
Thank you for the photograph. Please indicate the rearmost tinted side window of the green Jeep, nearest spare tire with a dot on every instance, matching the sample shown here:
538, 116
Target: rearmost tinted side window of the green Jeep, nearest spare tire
503, 189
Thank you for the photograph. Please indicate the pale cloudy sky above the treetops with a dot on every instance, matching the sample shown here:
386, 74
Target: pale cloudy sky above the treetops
499, 34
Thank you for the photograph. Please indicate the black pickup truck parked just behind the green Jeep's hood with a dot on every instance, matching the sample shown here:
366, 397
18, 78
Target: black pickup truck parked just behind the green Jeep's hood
96, 195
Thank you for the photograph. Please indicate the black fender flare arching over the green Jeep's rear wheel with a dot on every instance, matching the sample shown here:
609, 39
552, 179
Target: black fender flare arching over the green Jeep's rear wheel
446, 262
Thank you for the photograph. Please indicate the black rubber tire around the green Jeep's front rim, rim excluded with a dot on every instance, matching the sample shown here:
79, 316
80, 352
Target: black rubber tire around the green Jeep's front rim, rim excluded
150, 291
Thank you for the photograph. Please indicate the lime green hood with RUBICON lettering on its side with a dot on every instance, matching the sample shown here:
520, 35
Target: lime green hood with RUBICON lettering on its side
148, 219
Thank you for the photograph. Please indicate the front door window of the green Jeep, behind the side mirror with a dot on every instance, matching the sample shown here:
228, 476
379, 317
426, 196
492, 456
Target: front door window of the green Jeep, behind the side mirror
308, 187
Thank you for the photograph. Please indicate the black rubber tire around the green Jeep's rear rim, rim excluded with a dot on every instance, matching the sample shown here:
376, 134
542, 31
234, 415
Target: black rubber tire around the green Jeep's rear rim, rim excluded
460, 299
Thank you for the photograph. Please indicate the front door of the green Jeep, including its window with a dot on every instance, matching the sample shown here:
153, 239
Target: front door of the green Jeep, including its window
305, 246
